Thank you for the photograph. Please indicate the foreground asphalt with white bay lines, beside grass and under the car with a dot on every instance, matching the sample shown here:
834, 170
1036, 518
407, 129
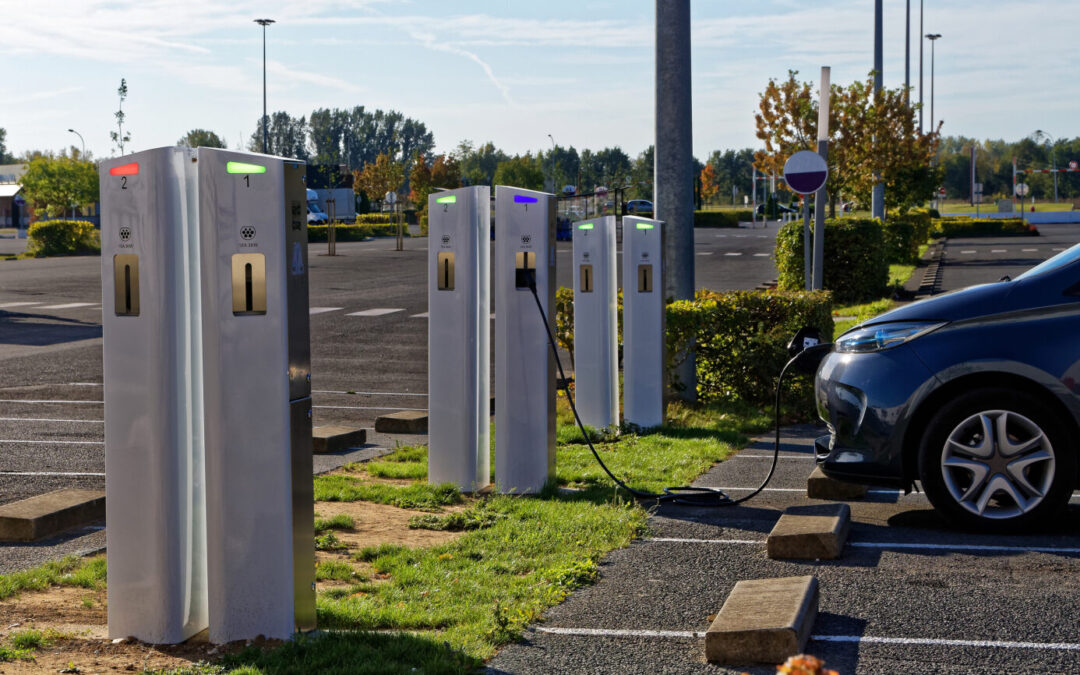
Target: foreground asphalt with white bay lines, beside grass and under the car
909, 595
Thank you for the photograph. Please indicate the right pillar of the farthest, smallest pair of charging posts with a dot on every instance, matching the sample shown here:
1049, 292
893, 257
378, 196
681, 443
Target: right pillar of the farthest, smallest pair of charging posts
643, 321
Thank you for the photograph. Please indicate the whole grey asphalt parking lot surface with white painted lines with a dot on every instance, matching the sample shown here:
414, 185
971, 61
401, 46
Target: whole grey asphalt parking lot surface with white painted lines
909, 596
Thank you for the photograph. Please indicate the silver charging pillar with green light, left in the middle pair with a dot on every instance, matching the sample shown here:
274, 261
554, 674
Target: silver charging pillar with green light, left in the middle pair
460, 337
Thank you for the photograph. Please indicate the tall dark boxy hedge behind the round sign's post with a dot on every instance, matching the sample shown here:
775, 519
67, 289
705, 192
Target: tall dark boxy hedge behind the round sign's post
857, 269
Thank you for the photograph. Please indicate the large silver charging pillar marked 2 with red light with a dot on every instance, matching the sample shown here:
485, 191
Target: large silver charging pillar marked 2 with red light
154, 450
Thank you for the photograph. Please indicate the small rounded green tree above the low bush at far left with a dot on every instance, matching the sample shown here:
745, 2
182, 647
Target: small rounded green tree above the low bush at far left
57, 185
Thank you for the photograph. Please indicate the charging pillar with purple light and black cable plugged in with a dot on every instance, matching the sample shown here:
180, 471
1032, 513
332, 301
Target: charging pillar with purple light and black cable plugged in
524, 368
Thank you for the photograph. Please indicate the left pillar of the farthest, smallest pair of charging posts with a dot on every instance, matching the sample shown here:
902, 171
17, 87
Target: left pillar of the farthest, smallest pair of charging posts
597, 322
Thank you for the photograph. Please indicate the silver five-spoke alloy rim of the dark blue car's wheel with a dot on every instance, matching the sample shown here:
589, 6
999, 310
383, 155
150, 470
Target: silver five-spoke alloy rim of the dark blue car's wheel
998, 465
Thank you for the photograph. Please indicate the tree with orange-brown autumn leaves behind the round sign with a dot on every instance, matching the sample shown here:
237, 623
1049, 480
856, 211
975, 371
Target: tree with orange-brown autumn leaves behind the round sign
870, 132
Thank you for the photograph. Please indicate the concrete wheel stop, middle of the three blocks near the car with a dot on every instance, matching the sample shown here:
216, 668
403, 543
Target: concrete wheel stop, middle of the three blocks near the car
811, 533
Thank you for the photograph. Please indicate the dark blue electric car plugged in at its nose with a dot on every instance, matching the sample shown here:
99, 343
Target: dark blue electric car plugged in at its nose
974, 394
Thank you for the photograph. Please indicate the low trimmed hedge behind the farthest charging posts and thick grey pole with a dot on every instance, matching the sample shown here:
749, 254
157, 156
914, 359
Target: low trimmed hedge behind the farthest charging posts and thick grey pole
740, 339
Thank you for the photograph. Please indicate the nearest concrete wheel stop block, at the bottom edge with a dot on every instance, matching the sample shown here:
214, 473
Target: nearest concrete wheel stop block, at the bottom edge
764, 622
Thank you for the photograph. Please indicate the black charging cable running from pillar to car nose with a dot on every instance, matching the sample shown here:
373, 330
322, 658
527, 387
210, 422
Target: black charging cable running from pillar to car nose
688, 495
